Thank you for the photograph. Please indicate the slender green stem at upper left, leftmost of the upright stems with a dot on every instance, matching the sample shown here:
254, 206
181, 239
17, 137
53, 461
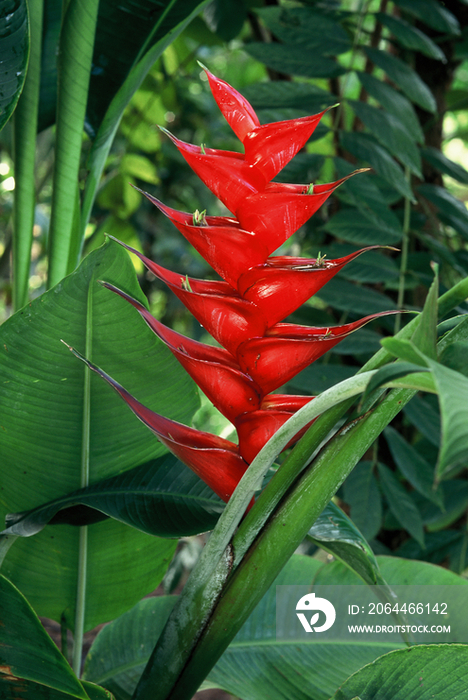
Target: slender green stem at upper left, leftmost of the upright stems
24, 145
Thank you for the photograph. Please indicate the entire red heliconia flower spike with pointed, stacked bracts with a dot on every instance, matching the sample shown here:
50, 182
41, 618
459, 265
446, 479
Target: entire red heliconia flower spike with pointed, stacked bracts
244, 310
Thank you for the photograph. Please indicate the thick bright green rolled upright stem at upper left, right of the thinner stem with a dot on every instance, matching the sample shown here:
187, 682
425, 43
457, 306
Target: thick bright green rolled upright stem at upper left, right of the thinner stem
74, 67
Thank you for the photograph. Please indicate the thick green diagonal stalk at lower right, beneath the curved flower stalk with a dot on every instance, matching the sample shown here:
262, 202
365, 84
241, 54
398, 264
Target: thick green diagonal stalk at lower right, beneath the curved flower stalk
276, 543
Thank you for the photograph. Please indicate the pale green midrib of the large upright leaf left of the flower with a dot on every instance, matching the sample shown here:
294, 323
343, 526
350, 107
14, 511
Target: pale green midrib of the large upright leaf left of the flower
80, 605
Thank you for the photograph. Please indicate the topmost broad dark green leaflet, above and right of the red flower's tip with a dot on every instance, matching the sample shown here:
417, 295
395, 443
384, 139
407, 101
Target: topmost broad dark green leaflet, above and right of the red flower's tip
312, 30
